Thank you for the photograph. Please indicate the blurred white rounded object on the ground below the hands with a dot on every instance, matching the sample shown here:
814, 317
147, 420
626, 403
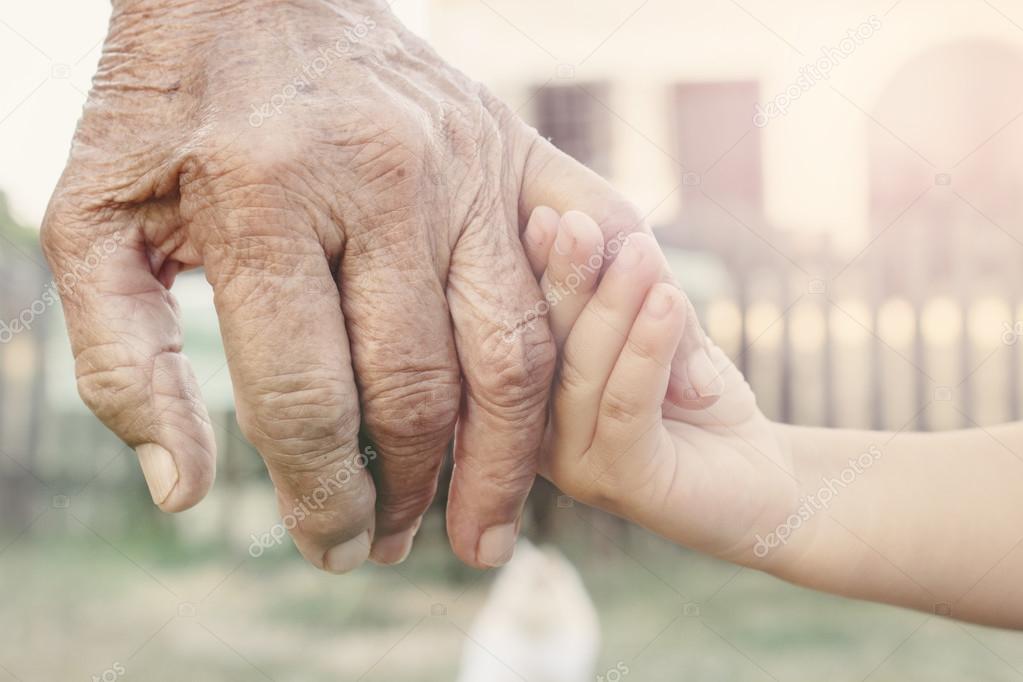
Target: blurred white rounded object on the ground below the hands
539, 624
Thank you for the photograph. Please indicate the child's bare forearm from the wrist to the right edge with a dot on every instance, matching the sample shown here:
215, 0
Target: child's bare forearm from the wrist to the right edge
928, 521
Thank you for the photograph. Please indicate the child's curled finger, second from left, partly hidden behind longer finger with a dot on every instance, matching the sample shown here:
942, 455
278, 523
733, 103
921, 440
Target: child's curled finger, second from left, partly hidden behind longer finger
573, 270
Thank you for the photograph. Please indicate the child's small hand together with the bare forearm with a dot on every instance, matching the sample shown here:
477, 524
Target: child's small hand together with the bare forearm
724, 480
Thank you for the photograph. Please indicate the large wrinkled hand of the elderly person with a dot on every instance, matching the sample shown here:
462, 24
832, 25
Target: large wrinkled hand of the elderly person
357, 204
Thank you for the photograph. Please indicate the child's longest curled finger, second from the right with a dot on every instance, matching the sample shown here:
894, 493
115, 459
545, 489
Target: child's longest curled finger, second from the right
597, 340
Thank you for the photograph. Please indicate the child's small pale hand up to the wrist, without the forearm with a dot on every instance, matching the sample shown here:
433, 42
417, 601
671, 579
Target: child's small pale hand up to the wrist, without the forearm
711, 479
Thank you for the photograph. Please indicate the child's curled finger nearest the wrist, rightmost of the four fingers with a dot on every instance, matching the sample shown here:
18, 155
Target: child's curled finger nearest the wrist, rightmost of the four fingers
633, 397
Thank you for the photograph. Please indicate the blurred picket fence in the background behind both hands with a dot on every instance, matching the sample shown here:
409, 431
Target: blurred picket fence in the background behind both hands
829, 352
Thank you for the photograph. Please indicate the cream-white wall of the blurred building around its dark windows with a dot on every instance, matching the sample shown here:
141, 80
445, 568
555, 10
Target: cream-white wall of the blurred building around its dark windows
816, 157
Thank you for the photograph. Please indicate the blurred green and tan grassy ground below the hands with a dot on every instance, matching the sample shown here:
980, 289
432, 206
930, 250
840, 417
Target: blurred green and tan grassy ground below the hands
78, 606
